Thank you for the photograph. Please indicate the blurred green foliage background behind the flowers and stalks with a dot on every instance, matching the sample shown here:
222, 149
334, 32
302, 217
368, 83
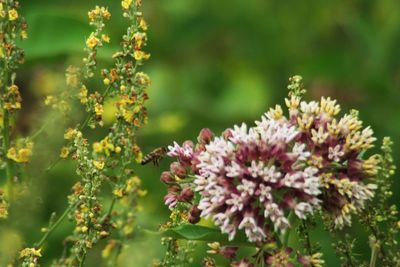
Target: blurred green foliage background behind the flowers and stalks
213, 64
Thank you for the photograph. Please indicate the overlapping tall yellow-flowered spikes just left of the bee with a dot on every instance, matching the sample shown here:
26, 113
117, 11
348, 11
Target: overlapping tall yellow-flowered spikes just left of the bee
108, 162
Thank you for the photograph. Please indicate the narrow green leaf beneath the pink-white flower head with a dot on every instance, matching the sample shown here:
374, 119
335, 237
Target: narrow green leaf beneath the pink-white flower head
202, 233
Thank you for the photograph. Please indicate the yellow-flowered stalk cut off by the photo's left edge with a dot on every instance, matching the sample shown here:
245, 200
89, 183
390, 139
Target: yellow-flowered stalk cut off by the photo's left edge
12, 28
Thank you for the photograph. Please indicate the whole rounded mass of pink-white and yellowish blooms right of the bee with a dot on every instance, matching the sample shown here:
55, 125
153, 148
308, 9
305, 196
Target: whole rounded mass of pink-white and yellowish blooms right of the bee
251, 178
